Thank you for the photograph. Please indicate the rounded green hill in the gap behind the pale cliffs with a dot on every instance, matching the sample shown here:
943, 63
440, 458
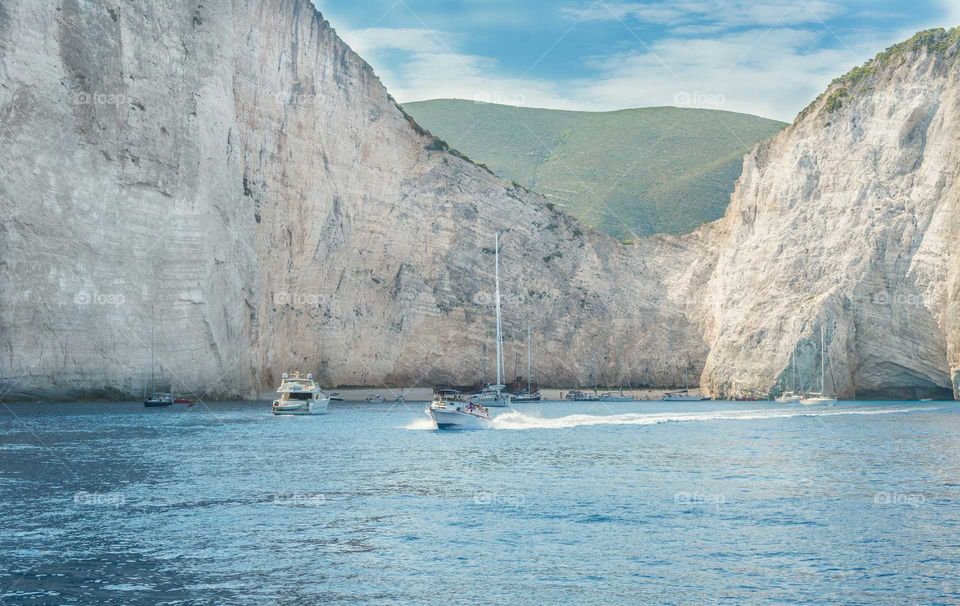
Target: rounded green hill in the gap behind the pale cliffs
630, 172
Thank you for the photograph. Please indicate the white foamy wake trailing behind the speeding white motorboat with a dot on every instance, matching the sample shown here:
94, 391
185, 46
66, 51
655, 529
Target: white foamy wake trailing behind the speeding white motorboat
519, 420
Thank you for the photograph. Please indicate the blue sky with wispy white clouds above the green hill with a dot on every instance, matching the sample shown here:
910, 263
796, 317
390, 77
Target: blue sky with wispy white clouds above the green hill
766, 57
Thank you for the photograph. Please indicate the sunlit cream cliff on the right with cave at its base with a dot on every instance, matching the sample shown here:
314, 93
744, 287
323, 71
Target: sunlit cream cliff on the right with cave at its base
848, 220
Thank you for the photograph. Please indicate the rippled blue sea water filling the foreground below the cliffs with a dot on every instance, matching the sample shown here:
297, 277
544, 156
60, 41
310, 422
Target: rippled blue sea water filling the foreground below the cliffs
574, 503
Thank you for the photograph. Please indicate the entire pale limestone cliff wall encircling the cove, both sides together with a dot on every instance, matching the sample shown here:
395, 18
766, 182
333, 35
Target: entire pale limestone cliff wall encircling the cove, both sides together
220, 194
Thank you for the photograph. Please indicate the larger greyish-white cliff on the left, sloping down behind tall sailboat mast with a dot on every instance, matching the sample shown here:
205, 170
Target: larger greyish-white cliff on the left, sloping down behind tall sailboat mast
233, 189
